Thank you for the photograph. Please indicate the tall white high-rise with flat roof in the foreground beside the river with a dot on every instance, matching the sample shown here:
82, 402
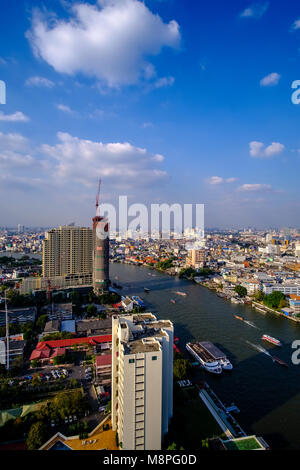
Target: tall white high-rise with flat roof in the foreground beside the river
142, 380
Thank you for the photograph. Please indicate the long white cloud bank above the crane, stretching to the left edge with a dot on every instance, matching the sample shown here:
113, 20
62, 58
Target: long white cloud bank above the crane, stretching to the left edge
71, 161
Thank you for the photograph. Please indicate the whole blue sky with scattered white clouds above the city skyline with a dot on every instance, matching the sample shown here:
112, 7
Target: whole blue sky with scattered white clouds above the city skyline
166, 100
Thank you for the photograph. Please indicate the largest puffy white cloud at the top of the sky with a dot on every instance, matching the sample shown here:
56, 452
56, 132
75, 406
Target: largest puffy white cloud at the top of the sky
110, 40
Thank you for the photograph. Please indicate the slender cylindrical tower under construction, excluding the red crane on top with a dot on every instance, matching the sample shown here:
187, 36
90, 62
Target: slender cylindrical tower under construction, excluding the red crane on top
100, 254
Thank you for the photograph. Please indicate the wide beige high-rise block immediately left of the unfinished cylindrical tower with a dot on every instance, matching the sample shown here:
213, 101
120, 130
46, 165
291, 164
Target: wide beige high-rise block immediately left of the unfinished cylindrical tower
68, 250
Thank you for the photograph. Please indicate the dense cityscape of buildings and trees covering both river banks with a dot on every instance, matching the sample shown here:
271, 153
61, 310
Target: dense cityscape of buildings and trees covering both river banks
85, 366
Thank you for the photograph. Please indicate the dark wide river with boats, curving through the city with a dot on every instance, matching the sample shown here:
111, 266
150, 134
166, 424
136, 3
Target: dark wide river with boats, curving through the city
267, 394
